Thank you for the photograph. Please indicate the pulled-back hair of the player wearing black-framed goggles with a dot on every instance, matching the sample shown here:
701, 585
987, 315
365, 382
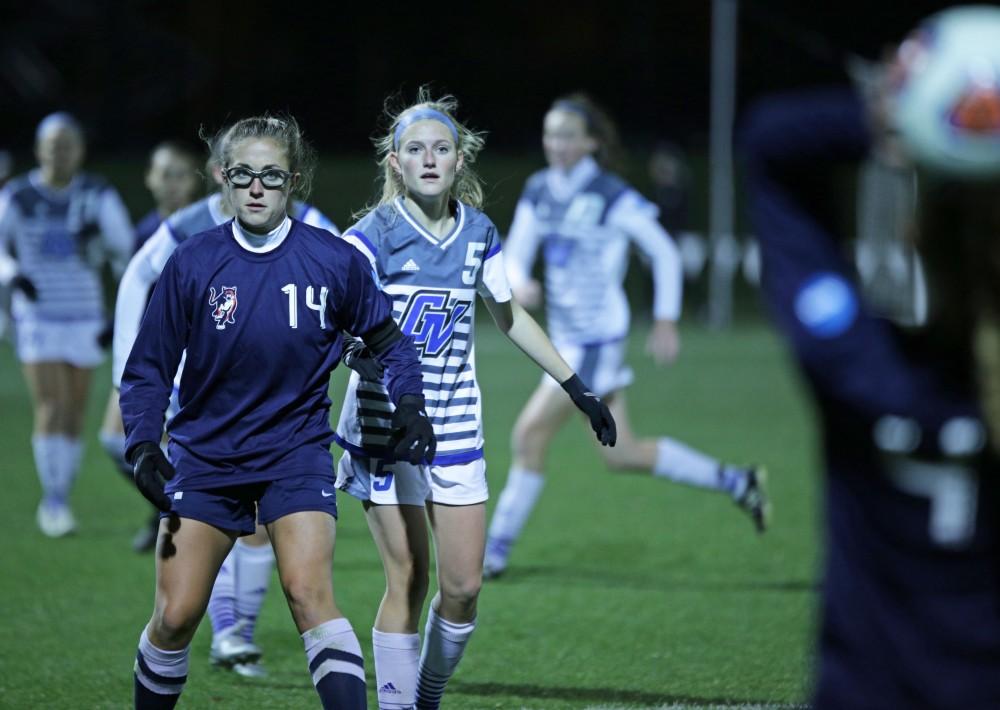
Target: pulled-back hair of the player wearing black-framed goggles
283, 130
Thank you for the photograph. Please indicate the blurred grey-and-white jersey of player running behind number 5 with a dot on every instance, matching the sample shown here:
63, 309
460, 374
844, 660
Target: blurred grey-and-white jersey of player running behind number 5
585, 221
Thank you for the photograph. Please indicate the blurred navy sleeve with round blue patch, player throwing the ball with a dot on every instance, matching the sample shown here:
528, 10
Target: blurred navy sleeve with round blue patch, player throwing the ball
849, 356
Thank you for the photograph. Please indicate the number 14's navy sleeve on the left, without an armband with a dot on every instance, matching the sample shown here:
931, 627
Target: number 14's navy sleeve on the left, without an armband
149, 372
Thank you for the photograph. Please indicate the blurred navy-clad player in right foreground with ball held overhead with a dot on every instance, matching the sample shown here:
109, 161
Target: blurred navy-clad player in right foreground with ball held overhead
910, 613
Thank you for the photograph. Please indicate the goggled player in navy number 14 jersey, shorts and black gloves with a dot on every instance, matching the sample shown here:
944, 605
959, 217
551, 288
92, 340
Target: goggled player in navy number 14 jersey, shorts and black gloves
260, 306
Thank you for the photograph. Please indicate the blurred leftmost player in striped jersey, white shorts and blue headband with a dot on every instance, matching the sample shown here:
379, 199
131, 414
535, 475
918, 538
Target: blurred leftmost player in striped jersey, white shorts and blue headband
57, 227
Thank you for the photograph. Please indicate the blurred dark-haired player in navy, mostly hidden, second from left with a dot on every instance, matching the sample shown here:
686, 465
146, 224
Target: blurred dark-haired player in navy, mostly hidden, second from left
173, 180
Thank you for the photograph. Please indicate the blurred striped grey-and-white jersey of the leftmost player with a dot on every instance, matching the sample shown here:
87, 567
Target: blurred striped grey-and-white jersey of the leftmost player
59, 239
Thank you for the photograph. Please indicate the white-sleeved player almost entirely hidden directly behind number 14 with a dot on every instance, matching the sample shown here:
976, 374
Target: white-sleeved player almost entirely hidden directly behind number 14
246, 574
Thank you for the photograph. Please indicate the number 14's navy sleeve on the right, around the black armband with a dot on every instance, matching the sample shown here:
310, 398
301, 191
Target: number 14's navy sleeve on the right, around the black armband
363, 307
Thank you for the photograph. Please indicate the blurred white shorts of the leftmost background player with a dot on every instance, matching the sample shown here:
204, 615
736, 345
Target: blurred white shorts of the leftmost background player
74, 342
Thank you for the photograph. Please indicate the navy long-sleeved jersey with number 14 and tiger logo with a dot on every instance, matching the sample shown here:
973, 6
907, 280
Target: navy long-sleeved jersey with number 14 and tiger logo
262, 333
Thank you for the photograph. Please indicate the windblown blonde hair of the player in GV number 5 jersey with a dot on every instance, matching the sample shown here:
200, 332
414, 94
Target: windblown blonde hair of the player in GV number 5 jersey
468, 186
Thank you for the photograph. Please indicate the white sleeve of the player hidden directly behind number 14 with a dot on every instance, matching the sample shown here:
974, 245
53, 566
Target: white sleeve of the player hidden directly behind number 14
133, 292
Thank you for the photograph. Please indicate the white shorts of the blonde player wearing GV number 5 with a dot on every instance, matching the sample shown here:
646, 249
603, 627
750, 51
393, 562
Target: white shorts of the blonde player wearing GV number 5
400, 483
